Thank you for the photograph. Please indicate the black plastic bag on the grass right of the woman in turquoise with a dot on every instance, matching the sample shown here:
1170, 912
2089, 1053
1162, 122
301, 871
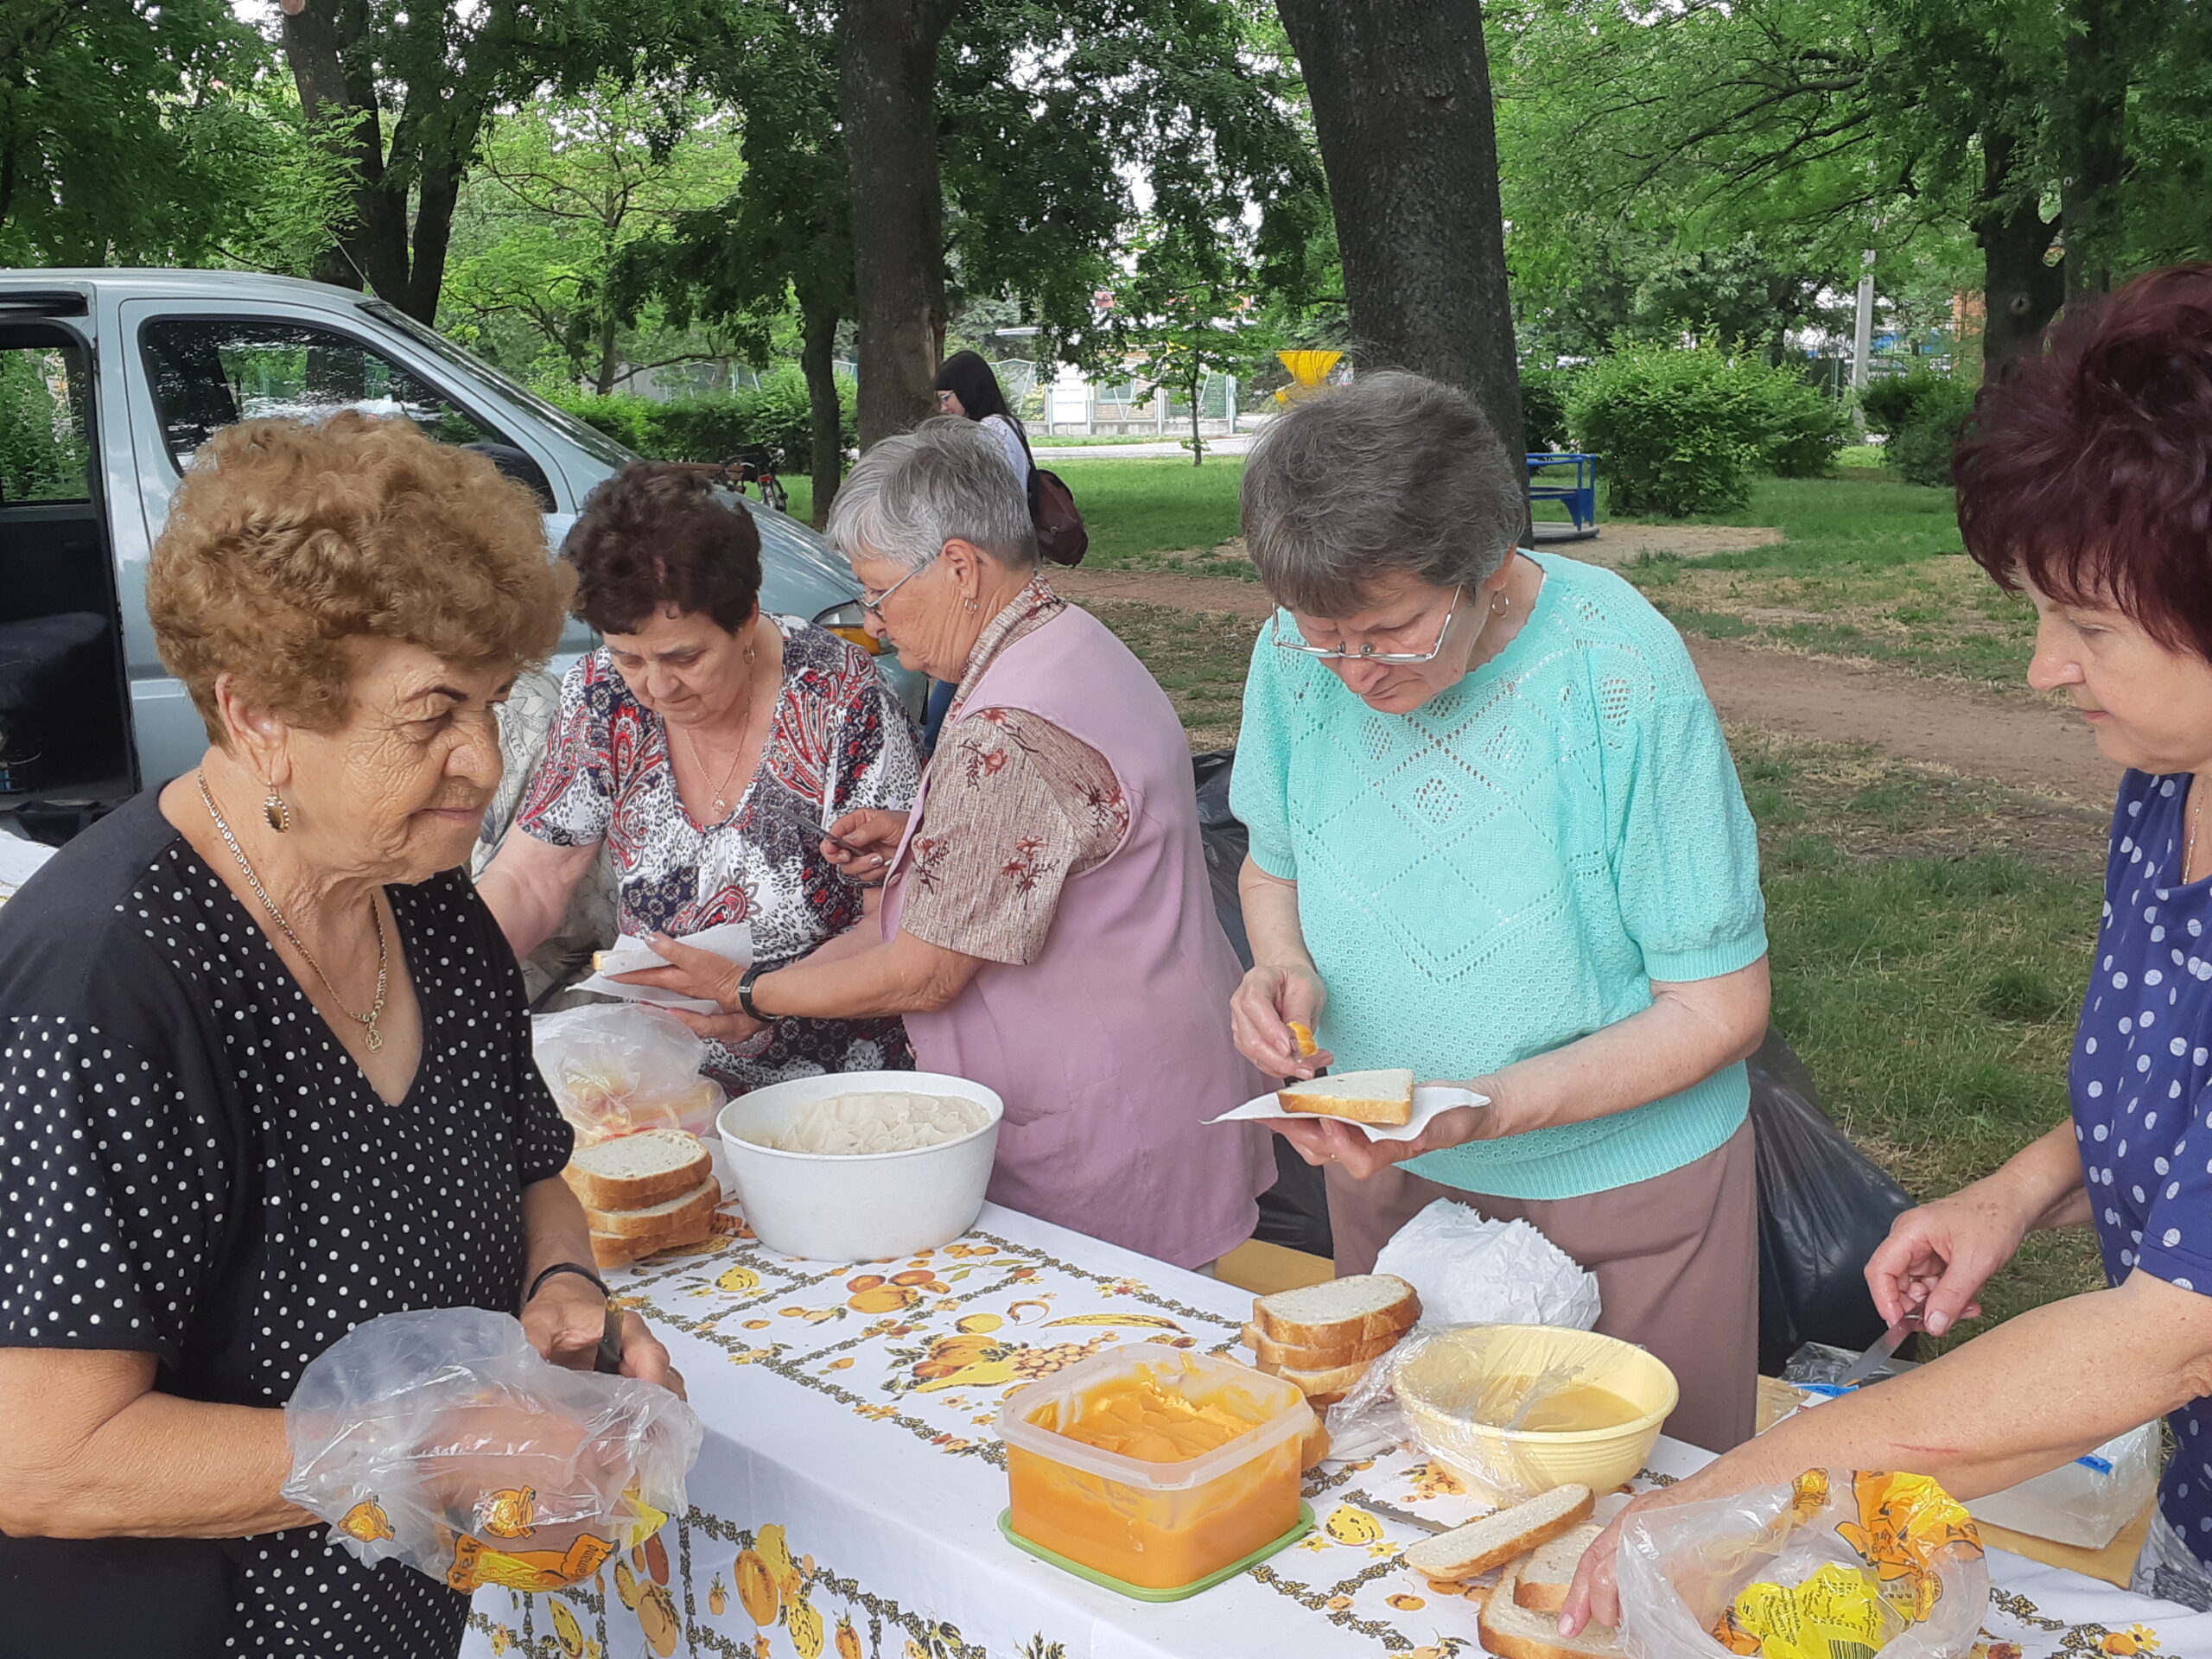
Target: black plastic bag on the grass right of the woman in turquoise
1824, 1209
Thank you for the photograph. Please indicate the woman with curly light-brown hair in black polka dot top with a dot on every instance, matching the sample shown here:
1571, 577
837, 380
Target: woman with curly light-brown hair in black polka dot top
264, 1061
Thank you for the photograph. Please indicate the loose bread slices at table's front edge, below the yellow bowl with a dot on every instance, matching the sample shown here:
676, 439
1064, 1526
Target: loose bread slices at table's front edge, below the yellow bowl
1534, 1552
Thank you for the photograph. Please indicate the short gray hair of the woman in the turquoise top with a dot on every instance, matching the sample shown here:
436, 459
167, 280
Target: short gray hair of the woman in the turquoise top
1390, 474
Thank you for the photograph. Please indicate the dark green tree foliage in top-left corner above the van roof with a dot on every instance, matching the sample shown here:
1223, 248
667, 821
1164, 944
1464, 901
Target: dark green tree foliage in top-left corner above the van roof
154, 134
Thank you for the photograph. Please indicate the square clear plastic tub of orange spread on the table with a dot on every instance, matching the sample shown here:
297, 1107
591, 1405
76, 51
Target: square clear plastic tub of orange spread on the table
1156, 1530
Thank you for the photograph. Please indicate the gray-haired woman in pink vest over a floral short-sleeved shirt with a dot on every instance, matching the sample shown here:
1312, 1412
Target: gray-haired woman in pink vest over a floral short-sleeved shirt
1047, 926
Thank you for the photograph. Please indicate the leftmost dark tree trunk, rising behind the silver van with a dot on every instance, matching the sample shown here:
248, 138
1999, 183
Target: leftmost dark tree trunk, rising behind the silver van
375, 244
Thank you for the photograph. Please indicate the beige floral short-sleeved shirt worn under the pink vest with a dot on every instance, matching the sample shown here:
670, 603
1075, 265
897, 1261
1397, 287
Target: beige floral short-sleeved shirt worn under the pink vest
1016, 808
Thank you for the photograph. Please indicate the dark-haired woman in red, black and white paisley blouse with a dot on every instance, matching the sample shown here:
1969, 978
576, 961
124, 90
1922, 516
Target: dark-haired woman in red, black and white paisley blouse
693, 747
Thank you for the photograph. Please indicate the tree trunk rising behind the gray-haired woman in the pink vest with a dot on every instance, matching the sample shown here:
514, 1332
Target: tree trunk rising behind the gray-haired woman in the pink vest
888, 98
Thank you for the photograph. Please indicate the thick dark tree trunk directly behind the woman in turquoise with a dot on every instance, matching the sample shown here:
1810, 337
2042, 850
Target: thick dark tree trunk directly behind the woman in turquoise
1404, 114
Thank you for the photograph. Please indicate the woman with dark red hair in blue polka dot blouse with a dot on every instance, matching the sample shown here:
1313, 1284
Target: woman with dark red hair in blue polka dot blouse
2087, 483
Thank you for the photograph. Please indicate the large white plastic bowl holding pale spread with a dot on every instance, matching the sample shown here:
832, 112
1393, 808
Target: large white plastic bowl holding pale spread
866, 1207
